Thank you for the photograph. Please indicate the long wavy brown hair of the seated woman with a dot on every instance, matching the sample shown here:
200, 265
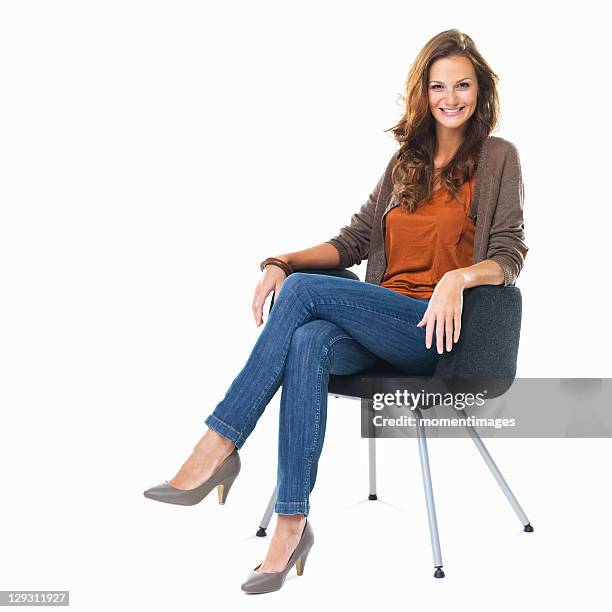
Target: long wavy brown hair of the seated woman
413, 172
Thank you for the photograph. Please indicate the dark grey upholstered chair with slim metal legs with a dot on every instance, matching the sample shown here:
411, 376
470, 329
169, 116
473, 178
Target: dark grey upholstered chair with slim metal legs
487, 348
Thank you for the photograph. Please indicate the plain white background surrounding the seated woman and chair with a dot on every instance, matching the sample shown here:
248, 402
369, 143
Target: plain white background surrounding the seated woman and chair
151, 155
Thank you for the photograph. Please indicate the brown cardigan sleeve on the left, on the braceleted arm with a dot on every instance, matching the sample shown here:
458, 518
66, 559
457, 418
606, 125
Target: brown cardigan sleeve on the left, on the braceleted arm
353, 240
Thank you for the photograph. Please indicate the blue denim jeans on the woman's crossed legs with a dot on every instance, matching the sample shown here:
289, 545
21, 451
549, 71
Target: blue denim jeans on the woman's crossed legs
319, 325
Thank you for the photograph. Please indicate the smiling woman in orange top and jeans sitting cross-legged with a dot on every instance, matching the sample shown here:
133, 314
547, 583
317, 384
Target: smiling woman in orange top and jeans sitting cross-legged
446, 215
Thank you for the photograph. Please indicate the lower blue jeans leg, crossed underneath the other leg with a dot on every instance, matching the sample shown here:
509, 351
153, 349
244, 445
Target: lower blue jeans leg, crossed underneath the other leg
317, 348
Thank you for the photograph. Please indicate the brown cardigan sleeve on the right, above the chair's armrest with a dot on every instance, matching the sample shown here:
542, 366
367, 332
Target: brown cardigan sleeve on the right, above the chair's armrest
507, 234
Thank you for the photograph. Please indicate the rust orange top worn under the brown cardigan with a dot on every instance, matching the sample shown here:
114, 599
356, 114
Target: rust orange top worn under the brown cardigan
423, 245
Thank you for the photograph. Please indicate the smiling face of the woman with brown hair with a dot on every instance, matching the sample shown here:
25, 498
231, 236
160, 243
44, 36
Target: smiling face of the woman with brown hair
453, 90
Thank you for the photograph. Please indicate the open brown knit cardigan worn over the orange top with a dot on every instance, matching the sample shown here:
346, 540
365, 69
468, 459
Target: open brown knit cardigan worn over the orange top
497, 208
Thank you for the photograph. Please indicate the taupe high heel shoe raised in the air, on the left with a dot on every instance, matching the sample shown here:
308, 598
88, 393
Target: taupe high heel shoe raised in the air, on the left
223, 478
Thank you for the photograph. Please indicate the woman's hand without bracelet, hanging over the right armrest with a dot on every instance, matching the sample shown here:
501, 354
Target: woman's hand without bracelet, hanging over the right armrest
444, 310
